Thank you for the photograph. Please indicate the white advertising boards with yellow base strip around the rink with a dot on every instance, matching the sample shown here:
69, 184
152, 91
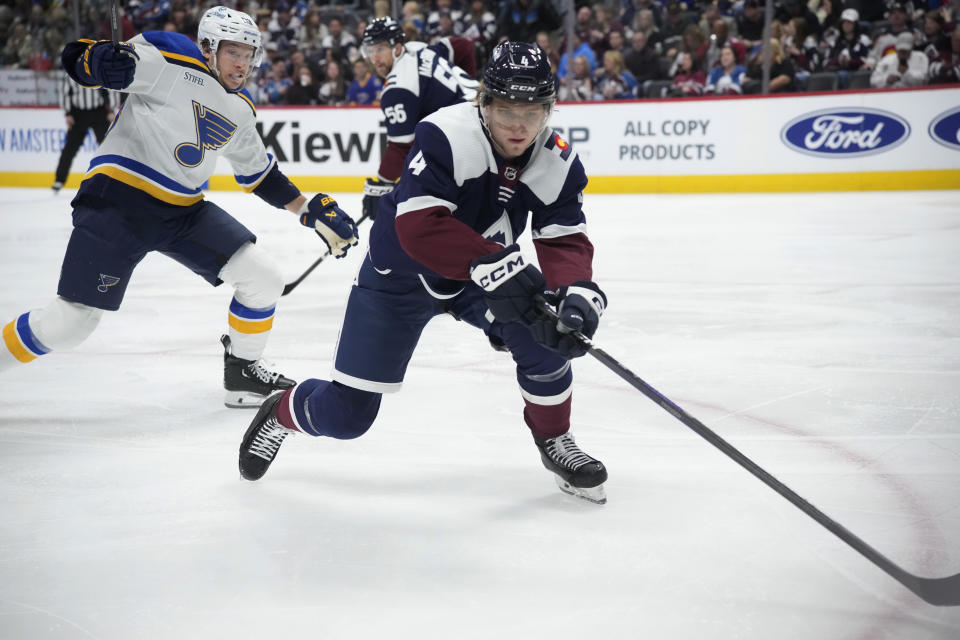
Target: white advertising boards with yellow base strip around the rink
901, 139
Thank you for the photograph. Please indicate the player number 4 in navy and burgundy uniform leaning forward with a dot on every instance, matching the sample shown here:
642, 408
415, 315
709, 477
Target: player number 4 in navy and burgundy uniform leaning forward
445, 242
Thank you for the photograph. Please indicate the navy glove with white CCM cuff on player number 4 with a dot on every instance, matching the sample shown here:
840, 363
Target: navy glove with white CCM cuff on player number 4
509, 284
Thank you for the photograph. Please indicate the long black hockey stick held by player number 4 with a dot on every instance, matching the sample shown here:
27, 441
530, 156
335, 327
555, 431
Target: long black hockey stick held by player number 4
936, 591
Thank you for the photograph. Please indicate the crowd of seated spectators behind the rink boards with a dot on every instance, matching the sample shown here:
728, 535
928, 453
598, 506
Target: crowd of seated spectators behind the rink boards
621, 49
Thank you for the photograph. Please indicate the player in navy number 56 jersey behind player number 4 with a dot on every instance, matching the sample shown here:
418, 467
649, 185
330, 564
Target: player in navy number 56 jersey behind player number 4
418, 80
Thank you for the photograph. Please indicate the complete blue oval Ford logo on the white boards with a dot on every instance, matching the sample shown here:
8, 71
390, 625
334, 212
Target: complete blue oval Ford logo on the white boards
845, 132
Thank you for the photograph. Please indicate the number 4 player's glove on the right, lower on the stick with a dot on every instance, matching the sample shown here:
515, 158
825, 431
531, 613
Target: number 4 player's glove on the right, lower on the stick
579, 307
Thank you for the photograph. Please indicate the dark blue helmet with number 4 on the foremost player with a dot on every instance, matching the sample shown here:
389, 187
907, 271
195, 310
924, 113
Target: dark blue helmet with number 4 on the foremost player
519, 72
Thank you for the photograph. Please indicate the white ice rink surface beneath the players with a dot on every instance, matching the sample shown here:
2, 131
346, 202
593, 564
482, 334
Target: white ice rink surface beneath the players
818, 333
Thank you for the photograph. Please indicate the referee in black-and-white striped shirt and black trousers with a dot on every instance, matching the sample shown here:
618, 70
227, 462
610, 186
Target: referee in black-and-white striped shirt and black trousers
85, 109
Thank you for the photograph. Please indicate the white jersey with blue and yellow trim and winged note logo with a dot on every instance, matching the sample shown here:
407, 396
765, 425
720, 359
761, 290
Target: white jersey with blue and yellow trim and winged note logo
176, 121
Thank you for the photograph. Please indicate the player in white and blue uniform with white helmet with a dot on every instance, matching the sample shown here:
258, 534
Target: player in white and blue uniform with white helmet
186, 106
